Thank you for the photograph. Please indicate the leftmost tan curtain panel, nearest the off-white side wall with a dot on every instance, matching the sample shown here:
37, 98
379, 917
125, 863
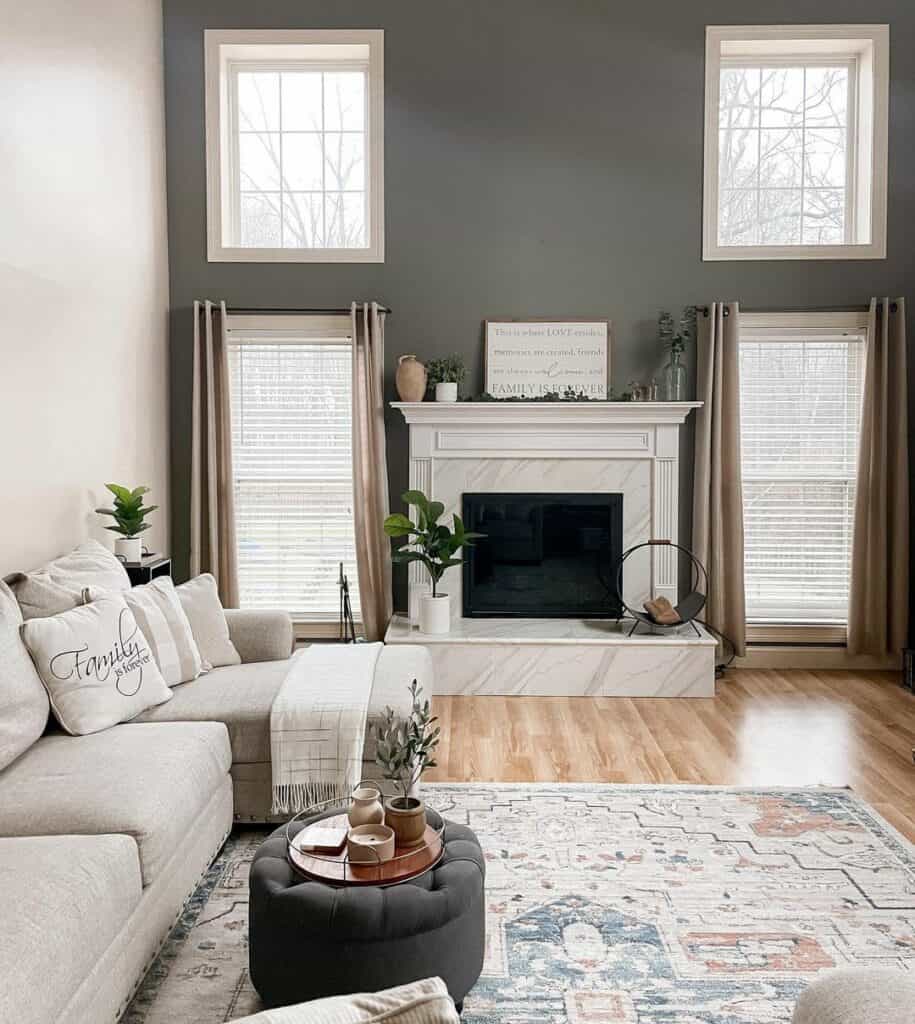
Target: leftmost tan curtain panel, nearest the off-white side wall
212, 495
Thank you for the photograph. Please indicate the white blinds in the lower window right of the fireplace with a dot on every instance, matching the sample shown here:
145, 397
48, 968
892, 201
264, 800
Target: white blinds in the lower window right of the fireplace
801, 394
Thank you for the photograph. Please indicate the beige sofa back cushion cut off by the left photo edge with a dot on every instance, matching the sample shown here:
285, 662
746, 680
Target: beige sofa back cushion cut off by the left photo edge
24, 702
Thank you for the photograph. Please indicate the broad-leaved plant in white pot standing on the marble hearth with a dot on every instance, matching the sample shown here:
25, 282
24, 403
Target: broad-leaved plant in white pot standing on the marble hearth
433, 545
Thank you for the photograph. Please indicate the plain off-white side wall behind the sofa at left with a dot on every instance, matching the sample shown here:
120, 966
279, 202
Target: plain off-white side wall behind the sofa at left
83, 270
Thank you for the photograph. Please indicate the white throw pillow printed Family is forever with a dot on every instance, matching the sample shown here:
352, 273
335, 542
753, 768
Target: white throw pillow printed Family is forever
96, 665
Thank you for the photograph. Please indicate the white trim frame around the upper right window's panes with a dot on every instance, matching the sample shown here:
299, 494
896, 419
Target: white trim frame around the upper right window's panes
869, 46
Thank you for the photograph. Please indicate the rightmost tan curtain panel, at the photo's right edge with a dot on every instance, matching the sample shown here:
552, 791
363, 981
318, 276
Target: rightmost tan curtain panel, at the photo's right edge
879, 610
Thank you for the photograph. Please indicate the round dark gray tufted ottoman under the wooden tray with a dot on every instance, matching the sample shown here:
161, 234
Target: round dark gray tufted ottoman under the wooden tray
309, 940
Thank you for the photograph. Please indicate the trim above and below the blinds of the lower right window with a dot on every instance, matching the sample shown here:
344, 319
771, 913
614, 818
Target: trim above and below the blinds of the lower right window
811, 324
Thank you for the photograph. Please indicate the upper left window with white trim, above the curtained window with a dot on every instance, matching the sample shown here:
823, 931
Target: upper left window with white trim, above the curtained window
295, 146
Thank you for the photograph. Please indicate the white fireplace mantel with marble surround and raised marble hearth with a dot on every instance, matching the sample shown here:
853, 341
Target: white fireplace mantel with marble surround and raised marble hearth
625, 448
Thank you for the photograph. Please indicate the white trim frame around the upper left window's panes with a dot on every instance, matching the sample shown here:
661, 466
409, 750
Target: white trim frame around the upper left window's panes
219, 46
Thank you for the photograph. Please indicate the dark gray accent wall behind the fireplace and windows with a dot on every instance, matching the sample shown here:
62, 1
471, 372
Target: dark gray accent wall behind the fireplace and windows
542, 158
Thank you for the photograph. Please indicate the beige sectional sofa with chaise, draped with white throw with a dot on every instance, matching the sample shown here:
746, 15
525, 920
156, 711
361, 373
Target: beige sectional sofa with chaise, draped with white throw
104, 837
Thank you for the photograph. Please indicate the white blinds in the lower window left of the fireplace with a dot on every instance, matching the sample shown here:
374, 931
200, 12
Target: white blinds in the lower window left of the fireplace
292, 451
